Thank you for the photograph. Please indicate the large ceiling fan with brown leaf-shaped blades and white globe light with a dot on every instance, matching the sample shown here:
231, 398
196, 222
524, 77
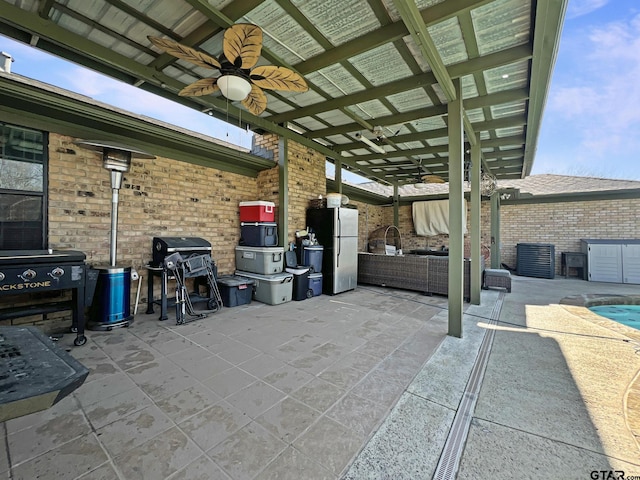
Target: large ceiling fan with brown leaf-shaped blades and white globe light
239, 78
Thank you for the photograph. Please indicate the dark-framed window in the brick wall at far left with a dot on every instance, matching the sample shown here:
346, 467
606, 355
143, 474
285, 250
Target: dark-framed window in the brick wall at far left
22, 186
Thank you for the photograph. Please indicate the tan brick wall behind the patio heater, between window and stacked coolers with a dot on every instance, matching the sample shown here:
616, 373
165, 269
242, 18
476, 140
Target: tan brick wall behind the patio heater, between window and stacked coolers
159, 197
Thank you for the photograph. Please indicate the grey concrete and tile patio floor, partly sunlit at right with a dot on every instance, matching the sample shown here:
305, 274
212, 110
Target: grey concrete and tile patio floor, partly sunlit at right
365, 384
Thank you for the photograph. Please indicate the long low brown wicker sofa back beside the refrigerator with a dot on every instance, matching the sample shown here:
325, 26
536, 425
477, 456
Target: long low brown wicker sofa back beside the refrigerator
424, 273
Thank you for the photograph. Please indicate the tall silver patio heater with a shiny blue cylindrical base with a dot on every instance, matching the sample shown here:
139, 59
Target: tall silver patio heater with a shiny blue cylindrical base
111, 306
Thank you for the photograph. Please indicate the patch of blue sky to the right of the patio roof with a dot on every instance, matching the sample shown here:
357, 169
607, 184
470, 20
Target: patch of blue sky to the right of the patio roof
591, 125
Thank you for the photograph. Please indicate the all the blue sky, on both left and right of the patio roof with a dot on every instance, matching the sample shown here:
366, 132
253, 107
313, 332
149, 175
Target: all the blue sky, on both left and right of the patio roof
590, 127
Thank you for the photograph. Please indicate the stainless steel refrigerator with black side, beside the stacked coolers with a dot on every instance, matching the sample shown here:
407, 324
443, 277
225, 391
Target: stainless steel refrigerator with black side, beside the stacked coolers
337, 231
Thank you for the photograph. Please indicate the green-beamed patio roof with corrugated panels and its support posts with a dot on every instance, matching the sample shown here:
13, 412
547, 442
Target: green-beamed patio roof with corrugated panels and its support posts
399, 92
